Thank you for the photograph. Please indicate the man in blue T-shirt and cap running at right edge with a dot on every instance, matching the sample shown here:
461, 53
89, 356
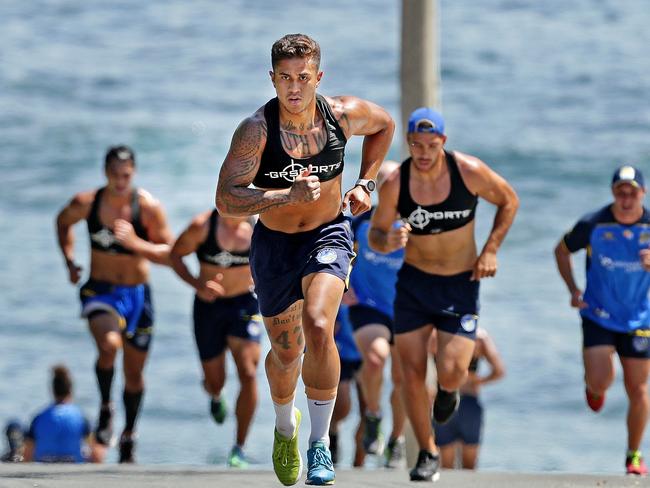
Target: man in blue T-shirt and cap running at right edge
614, 307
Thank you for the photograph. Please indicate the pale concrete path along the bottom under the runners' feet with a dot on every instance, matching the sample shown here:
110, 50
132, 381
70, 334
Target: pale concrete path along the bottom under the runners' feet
115, 476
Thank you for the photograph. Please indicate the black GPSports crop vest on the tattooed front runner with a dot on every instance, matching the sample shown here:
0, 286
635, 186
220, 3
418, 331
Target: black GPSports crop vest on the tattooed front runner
278, 169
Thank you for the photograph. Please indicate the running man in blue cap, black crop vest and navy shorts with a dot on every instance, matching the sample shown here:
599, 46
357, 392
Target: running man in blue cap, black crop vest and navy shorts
435, 193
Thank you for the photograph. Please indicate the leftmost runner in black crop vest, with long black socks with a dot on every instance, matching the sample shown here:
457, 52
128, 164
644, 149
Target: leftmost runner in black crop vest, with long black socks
127, 229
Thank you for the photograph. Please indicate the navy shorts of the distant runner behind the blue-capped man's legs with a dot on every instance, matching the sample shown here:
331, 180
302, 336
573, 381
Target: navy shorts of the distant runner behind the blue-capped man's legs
465, 425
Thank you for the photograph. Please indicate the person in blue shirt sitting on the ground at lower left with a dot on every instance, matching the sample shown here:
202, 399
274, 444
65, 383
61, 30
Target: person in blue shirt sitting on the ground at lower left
58, 434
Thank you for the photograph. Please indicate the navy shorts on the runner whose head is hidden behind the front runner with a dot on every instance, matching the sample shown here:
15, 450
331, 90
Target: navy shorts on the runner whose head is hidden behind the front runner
214, 321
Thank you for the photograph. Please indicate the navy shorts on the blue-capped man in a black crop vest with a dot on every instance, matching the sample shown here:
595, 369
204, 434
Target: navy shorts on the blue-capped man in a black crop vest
450, 303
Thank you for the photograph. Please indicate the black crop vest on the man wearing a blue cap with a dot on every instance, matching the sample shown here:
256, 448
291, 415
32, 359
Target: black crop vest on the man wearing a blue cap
456, 211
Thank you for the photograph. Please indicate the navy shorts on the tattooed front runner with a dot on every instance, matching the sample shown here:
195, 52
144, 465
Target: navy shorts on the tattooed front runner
279, 261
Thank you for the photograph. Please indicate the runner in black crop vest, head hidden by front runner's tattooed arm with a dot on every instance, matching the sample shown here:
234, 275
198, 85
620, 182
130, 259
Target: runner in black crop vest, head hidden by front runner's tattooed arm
226, 314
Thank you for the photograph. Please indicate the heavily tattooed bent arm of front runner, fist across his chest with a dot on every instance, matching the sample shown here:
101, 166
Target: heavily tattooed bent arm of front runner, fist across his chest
234, 197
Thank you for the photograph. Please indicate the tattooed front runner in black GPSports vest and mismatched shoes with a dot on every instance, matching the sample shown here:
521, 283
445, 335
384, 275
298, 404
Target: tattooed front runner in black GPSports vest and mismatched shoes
291, 150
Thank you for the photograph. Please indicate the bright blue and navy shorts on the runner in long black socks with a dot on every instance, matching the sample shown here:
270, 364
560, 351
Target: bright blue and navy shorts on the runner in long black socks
130, 304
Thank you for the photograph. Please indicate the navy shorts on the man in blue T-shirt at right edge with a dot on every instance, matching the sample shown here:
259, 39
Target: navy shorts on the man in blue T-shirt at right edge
633, 344
